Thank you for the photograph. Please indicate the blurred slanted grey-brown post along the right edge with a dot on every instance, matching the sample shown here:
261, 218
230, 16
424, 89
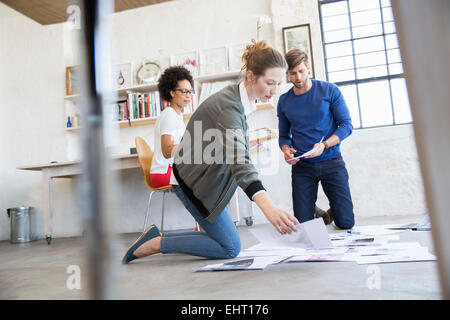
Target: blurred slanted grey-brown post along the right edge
424, 38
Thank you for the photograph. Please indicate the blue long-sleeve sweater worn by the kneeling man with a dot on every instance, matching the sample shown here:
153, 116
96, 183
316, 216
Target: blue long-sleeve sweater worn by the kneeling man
304, 119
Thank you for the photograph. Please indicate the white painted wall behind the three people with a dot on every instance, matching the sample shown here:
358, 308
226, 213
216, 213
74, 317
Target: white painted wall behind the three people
382, 163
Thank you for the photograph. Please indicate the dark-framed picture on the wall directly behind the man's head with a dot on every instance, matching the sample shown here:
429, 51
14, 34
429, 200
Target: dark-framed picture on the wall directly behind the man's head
299, 37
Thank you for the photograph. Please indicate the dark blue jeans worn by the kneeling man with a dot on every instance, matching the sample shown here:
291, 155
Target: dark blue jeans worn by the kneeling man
333, 176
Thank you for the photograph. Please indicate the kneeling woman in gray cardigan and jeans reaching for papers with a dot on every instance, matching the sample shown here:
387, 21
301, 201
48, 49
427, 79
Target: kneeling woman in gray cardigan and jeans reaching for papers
213, 159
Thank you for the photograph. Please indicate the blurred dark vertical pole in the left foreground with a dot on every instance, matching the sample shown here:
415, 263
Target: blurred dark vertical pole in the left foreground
93, 67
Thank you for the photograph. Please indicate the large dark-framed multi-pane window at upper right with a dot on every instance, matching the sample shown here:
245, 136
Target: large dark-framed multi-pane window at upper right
363, 58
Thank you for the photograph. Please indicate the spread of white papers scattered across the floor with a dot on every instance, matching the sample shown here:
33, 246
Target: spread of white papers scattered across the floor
312, 243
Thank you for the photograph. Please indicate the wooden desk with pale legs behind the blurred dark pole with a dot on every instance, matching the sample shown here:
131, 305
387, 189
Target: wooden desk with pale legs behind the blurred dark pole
69, 169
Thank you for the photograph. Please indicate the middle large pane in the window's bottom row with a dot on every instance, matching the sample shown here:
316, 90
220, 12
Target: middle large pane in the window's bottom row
375, 103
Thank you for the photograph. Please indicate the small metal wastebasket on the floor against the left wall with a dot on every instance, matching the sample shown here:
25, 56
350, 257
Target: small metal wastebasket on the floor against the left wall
22, 224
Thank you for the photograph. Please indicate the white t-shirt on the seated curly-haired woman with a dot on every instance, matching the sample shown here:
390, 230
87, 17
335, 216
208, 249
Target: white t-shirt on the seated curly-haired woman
171, 123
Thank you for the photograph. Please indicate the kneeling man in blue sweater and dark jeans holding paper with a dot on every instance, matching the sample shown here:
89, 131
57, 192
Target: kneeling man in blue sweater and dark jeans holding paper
313, 115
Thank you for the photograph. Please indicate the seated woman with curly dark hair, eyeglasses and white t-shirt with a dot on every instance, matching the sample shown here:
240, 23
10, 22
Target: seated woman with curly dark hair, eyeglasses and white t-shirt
174, 86
